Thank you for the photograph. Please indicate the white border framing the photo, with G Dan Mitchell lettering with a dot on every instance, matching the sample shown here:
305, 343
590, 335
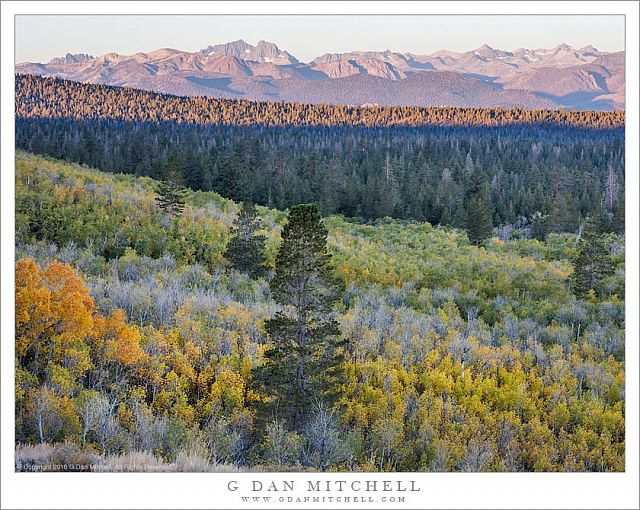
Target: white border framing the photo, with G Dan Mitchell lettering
448, 490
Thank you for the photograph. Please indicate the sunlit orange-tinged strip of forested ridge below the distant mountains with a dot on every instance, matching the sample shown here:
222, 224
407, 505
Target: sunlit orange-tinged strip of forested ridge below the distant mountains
57, 98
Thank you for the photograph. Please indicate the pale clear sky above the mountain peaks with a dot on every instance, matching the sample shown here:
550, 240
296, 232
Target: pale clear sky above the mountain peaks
40, 38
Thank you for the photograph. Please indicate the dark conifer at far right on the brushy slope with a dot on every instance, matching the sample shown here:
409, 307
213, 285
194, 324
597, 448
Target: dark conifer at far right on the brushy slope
592, 263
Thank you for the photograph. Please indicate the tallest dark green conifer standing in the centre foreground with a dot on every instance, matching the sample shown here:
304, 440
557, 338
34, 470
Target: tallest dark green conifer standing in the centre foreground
304, 359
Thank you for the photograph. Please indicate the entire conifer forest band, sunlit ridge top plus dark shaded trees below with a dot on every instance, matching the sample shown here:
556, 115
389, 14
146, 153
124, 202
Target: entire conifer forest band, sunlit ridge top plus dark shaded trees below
426, 164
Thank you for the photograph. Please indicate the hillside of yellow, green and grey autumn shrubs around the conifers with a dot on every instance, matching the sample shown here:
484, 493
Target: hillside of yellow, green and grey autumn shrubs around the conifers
460, 358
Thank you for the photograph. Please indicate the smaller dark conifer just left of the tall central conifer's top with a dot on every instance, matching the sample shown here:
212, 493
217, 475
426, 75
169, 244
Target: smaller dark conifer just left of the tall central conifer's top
245, 250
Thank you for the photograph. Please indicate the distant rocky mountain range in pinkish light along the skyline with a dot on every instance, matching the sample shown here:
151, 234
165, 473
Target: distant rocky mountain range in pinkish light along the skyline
561, 77
